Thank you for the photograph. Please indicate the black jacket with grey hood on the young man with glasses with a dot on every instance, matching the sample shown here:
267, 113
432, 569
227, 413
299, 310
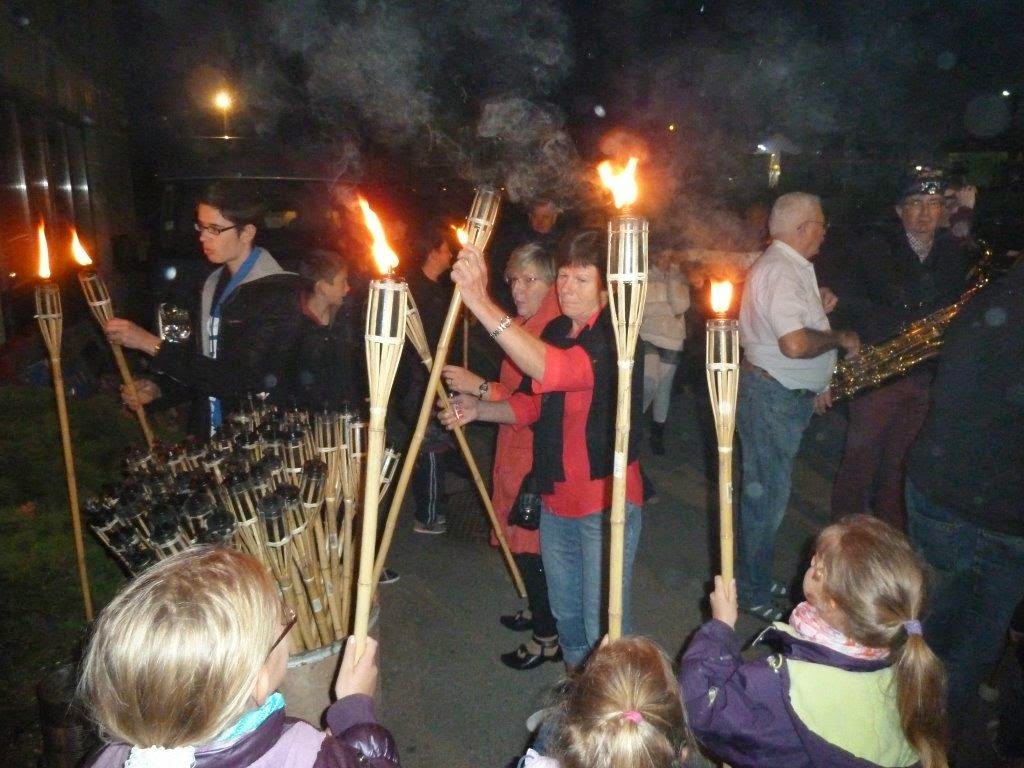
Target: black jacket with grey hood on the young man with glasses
260, 331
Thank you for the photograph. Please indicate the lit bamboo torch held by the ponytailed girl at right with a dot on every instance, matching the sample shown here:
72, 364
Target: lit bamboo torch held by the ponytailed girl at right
723, 387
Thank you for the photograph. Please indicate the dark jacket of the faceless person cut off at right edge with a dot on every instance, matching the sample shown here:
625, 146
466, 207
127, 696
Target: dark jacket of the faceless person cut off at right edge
969, 456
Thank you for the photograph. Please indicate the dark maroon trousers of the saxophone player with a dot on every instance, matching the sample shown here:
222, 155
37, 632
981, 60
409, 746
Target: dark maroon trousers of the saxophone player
883, 425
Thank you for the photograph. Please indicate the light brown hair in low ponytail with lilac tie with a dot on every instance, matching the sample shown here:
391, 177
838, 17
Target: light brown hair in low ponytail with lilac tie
878, 582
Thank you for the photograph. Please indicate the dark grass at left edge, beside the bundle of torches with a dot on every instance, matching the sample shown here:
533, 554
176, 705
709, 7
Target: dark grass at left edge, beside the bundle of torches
41, 606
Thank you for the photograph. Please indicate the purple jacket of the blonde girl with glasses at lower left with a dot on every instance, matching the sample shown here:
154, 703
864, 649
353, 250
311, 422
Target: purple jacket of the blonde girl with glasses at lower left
285, 743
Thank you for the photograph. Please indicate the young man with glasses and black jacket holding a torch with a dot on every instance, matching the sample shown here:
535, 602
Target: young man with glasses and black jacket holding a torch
249, 319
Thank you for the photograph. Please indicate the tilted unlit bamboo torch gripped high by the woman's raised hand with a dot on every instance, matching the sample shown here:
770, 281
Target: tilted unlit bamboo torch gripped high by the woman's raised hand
480, 226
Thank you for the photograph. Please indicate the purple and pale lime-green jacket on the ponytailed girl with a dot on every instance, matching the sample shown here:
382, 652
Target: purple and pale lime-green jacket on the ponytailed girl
745, 714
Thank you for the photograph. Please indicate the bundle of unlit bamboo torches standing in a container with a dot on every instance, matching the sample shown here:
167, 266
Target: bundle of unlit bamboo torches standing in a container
283, 486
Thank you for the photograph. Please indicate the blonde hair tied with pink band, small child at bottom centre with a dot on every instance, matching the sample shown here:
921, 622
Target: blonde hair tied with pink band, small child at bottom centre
624, 710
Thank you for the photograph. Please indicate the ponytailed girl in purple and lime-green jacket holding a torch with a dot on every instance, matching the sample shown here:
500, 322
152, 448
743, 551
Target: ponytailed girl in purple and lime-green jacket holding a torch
852, 684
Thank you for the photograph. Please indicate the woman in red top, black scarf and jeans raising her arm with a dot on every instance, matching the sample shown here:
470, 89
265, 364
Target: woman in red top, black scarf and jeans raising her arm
569, 398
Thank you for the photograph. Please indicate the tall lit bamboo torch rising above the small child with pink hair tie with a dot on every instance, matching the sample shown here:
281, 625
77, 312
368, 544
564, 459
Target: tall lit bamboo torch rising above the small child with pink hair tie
627, 296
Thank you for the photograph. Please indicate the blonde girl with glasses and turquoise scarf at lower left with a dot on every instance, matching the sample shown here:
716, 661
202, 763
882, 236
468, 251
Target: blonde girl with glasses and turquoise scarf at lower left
184, 667
